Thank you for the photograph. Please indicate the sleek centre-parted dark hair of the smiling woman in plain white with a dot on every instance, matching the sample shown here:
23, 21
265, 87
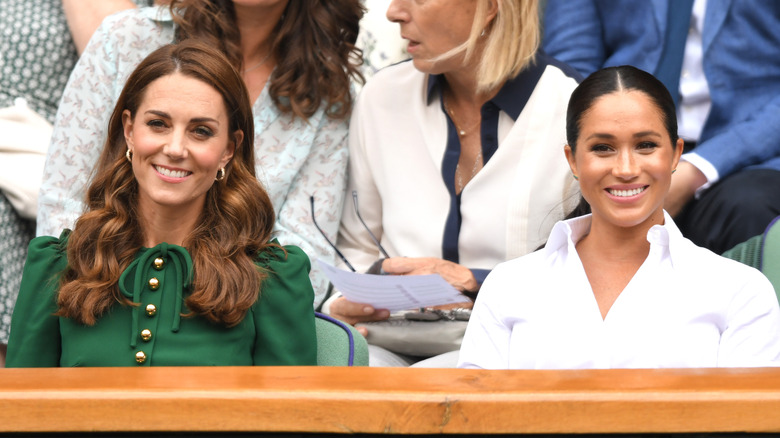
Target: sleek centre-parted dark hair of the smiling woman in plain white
609, 80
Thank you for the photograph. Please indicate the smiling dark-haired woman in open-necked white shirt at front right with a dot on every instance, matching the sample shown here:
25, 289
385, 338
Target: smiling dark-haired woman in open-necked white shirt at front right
622, 288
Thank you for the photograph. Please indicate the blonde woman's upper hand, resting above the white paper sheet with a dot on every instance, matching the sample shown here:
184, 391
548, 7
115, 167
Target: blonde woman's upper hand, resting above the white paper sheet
460, 277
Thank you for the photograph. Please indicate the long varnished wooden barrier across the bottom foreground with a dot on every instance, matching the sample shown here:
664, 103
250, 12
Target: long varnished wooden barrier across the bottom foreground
366, 400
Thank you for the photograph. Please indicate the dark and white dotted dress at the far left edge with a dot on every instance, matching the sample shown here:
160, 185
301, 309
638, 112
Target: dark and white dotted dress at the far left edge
36, 57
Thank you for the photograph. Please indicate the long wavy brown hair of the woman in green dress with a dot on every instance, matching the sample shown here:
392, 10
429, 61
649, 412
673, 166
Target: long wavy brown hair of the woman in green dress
234, 227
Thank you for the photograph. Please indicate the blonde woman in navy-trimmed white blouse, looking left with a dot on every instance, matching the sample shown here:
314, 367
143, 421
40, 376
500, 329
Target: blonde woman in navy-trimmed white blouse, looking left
455, 155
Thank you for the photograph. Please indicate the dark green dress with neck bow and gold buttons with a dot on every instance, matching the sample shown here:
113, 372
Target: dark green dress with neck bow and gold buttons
277, 330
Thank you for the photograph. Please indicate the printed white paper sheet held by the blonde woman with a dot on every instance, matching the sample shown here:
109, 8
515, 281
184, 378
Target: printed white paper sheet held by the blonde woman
393, 292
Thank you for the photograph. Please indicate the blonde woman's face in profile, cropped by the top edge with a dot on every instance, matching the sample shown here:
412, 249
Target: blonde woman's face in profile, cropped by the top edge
433, 27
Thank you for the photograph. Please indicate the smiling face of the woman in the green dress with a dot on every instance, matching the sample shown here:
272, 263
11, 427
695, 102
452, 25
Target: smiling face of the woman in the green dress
179, 137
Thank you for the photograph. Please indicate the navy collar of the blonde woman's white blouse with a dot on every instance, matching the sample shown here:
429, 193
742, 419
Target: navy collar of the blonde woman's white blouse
512, 96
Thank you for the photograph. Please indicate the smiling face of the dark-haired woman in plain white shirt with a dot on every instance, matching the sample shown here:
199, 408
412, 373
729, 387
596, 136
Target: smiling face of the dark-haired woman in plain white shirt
624, 159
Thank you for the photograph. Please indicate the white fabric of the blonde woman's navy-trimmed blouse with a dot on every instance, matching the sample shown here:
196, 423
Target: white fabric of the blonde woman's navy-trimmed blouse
398, 140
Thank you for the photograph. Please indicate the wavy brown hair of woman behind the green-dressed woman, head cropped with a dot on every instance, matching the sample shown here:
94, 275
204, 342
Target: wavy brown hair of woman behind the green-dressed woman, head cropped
313, 43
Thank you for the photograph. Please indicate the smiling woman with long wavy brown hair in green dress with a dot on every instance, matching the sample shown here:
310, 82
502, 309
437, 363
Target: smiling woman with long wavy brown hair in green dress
172, 262
